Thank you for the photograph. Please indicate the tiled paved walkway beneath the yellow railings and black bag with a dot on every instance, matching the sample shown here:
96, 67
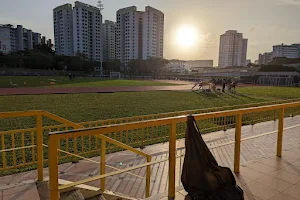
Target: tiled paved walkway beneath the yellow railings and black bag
263, 176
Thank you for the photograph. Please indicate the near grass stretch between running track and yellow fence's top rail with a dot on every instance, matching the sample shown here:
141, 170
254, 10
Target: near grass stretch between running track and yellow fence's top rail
90, 107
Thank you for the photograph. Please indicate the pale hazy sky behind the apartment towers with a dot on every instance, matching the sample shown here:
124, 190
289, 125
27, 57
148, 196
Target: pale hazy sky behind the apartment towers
263, 22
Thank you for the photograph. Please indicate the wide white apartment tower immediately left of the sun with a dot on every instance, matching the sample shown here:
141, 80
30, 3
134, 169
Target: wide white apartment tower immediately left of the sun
139, 35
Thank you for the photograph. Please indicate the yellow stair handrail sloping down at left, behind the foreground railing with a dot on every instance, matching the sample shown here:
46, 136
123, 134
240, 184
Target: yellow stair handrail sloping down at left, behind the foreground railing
38, 144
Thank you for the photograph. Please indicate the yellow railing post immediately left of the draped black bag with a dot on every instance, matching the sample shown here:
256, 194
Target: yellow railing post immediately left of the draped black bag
172, 160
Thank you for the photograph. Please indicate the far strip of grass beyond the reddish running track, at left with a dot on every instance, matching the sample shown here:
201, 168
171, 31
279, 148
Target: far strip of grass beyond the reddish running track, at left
44, 81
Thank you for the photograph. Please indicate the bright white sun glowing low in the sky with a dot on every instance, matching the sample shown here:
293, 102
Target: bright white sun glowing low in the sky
186, 36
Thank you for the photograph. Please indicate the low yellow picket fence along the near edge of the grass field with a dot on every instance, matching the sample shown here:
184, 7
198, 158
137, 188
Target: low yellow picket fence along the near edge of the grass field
21, 148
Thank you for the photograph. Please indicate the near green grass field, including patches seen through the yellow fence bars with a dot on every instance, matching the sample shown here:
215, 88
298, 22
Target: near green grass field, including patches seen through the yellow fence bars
89, 107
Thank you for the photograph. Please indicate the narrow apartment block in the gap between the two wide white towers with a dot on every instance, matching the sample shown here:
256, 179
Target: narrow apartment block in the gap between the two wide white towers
109, 41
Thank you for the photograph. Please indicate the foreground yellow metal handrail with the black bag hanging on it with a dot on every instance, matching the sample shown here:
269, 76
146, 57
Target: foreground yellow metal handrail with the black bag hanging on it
171, 121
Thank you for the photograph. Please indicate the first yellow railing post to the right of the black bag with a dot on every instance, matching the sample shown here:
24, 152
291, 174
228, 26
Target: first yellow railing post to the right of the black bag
237, 148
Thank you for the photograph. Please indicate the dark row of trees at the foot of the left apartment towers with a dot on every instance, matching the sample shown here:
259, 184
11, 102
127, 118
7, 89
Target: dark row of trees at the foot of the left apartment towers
43, 57
